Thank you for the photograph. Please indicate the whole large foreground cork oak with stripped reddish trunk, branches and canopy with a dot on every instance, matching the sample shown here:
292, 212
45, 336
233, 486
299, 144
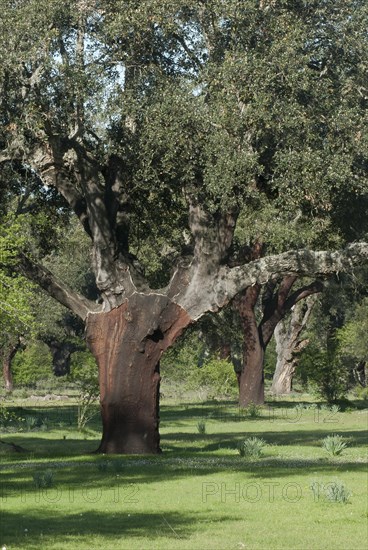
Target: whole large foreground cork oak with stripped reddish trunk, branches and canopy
186, 120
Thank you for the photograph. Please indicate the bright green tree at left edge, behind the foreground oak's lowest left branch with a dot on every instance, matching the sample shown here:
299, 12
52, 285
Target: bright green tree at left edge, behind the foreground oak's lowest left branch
28, 222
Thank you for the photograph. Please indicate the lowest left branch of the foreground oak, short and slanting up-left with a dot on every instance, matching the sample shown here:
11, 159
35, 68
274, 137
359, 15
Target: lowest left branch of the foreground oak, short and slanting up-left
68, 297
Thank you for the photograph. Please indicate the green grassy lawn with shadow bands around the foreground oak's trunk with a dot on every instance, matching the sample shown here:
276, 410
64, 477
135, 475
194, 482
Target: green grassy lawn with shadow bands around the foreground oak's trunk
199, 494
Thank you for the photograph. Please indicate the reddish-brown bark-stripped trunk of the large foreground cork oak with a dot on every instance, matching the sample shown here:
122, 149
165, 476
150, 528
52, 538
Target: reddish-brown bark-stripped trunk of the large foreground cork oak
128, 342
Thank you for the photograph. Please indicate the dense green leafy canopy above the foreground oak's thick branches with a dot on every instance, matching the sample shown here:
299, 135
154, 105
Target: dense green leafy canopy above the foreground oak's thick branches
257, 105
